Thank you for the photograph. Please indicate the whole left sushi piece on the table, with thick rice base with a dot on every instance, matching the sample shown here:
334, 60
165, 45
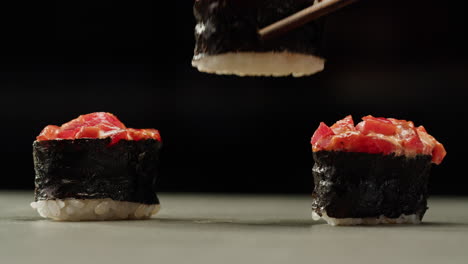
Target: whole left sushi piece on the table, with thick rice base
95, 168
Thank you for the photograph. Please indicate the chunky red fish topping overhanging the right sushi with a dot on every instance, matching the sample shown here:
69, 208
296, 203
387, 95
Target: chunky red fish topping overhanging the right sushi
377, 135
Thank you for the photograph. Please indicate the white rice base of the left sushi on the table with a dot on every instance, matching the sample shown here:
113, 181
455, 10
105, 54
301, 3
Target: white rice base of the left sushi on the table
93, 209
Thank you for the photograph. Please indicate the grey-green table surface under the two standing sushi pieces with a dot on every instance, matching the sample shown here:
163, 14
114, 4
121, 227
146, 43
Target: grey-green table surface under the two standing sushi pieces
198, 228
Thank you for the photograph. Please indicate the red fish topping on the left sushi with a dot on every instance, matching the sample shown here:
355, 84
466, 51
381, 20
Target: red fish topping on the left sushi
97, 125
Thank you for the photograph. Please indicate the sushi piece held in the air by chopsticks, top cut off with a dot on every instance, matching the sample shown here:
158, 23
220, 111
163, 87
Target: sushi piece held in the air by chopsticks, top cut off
227, 40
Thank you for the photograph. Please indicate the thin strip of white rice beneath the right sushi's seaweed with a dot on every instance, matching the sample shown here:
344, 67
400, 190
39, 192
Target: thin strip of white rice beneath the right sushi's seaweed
402, 219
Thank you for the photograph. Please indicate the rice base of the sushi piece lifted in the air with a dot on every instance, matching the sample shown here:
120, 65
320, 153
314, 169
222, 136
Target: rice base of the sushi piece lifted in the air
260, 64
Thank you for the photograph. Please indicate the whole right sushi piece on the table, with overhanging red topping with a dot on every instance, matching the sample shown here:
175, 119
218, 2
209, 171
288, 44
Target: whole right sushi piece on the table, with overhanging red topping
376, 172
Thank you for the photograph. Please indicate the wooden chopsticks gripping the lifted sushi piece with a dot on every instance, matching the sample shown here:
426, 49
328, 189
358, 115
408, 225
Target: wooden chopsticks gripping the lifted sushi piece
302, 17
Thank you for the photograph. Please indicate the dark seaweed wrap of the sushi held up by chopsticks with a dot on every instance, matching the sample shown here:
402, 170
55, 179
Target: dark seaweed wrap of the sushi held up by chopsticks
231, 26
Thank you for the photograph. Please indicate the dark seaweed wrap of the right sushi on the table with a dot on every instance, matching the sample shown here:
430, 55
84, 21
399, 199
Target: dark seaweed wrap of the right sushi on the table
357, 185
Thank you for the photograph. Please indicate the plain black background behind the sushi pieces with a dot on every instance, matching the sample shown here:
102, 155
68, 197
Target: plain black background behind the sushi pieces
402, 59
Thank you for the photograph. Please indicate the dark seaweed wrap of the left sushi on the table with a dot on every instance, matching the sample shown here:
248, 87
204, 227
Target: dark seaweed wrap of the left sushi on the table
91, 169
